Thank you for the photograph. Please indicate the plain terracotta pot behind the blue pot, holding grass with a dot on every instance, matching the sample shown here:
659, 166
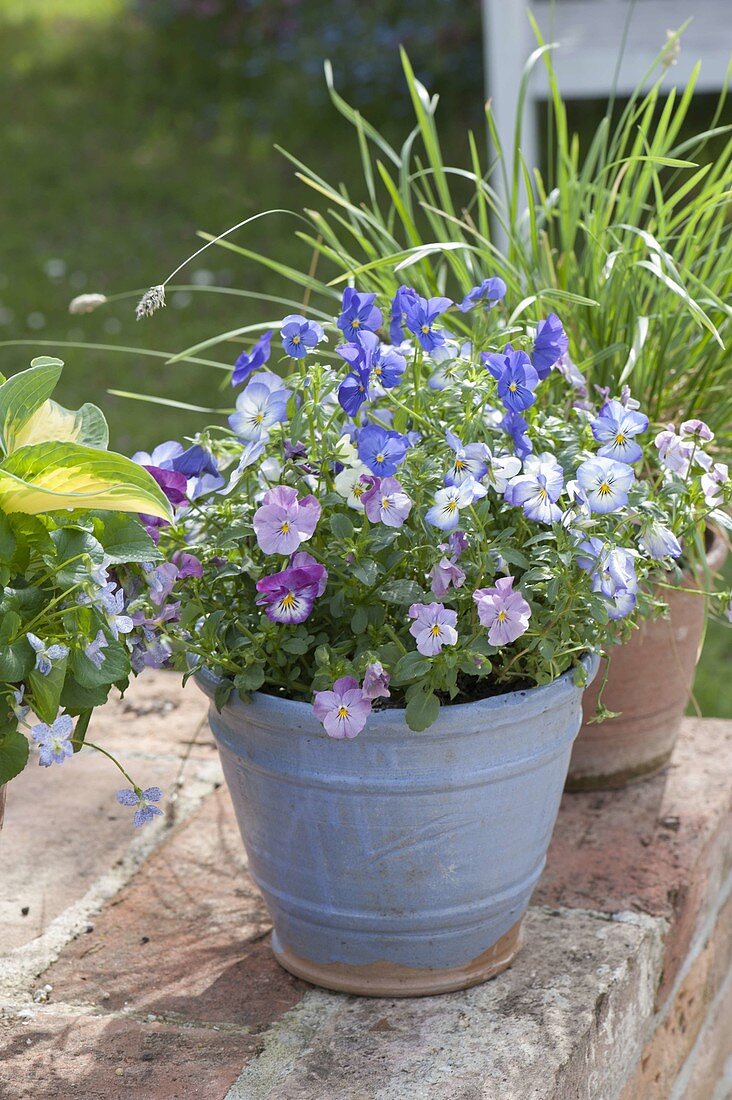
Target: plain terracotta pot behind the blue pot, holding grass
650, 683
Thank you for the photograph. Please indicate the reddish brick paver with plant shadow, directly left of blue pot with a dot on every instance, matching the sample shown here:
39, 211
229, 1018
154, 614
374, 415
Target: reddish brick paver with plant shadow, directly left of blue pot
187, 939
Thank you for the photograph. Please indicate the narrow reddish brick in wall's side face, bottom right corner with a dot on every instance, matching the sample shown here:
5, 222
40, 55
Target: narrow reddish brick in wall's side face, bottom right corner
684, 1019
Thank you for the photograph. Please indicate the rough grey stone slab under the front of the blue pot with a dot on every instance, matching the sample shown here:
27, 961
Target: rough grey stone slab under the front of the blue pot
565, 1021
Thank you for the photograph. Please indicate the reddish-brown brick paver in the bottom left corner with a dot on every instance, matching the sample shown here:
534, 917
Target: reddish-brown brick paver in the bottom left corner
57, 1058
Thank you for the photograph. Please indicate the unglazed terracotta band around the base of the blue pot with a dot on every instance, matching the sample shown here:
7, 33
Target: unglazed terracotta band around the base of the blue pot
389, 980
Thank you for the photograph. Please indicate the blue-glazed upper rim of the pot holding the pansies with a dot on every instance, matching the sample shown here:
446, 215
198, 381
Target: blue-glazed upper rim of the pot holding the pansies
275, 711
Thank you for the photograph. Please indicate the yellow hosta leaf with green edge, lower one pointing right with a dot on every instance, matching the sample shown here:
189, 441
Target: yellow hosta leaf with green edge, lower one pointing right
52, 477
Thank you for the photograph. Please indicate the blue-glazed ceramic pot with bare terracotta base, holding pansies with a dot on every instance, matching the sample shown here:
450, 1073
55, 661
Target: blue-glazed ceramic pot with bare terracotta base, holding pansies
399, 864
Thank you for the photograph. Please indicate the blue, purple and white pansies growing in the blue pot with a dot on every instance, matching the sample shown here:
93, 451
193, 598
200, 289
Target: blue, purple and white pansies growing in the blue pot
421, 508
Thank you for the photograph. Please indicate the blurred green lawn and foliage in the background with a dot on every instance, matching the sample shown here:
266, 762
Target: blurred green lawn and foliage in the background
130, 125
